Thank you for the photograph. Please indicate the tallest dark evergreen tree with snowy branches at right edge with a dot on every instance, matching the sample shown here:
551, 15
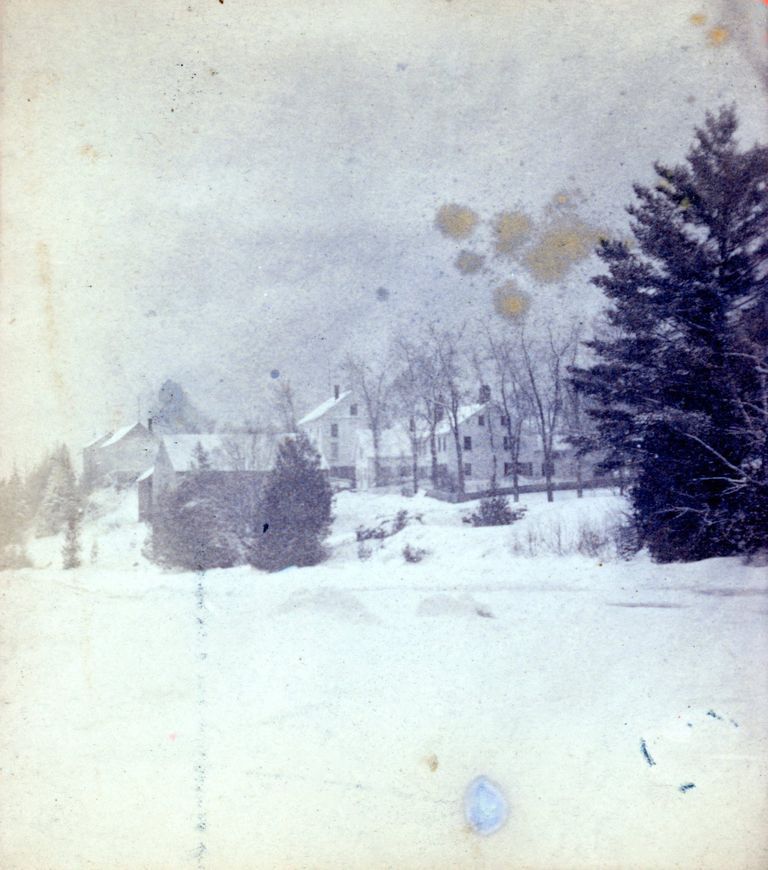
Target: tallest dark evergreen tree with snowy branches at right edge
681, 375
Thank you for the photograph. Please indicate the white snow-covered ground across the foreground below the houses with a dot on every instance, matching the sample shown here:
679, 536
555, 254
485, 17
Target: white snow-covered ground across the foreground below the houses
333, 717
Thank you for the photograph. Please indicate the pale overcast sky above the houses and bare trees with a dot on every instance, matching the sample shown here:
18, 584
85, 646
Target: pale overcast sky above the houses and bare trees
211, 191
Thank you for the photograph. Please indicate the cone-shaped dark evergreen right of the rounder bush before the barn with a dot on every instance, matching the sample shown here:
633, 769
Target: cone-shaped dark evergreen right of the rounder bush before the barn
296, 508
